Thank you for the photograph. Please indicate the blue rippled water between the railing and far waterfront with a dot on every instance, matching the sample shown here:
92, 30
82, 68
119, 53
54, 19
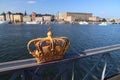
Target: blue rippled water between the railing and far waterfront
14, 38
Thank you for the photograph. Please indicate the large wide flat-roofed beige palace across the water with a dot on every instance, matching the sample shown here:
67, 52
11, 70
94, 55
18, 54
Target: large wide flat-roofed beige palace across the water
71, 16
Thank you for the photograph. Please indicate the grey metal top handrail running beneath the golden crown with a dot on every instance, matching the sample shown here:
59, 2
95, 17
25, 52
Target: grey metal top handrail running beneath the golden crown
29, 63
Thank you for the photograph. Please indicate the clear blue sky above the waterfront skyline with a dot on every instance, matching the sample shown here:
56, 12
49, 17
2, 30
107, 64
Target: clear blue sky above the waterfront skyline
101, 8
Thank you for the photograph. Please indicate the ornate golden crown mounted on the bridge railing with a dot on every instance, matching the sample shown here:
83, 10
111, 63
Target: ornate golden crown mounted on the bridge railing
49, 48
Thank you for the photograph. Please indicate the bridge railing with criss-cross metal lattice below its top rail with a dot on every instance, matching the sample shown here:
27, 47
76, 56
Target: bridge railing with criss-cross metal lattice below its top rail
74, 68
